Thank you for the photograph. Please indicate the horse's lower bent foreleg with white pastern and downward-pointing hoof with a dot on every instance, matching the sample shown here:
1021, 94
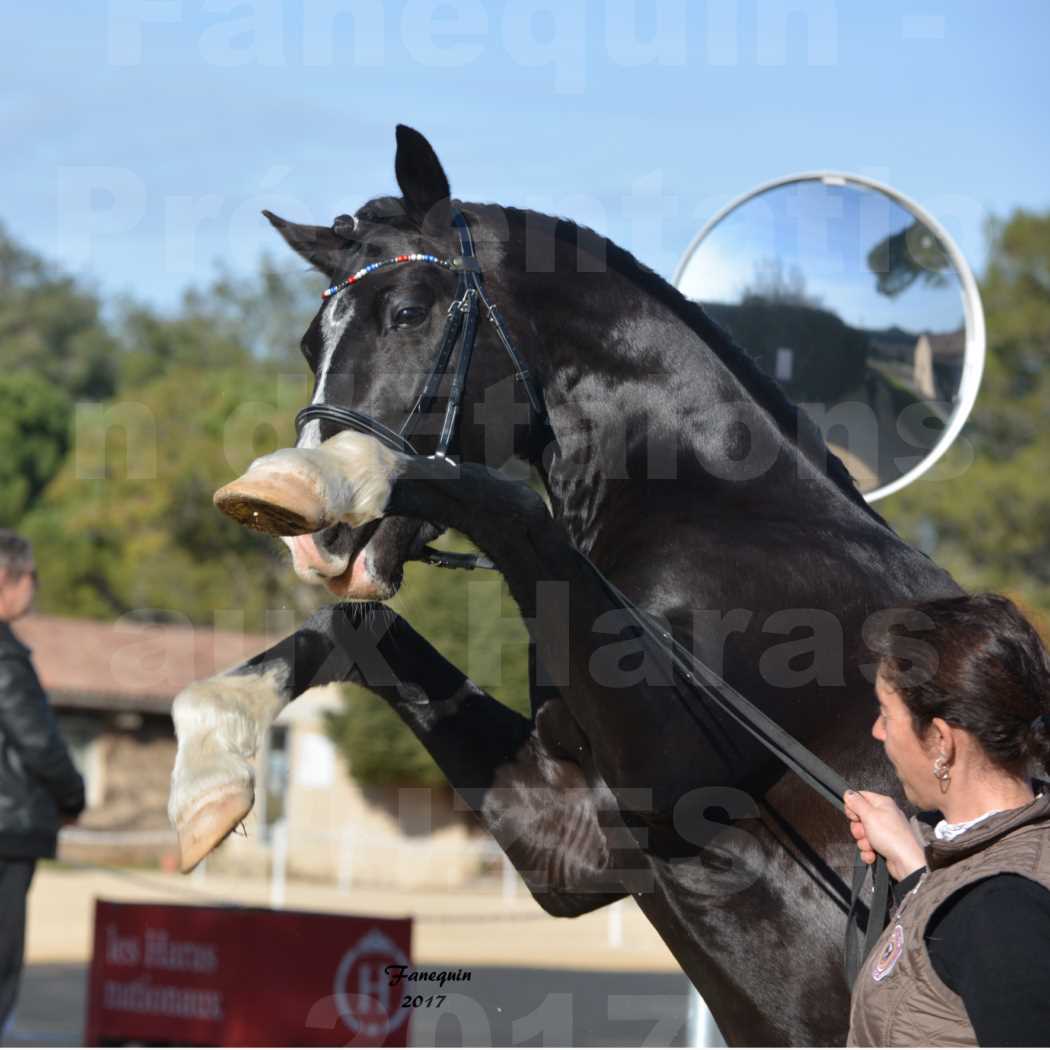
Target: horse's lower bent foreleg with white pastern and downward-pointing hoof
524, 782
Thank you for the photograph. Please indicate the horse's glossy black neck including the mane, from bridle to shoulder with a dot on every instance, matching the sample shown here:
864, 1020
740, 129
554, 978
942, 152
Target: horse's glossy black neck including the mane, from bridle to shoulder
626, 360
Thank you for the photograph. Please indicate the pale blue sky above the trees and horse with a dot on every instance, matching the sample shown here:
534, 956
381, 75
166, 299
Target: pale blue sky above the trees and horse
142, 137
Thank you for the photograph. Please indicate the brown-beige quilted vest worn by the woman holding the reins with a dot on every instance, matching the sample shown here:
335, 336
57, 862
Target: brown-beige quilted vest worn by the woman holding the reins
898, 1000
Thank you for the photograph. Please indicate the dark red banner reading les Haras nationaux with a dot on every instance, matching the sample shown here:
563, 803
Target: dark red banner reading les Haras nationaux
175, 975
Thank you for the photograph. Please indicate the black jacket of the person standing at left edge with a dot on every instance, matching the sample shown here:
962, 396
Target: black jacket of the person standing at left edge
39, 785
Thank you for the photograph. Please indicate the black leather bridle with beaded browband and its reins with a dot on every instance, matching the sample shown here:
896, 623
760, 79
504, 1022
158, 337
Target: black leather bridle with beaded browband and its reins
460, 331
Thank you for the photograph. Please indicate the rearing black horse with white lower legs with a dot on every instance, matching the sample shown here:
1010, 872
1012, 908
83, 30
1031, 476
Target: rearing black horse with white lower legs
684, 476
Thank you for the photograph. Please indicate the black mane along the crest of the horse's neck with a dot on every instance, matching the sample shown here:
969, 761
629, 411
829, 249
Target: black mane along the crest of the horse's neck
791, 421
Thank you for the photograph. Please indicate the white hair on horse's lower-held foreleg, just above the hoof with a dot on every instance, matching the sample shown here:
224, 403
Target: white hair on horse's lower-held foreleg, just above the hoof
220, 724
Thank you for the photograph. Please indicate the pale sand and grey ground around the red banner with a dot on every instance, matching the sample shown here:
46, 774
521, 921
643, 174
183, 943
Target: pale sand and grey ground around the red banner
527, 954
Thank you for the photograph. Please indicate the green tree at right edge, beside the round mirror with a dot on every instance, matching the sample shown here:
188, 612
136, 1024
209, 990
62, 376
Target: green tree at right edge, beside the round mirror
983, 515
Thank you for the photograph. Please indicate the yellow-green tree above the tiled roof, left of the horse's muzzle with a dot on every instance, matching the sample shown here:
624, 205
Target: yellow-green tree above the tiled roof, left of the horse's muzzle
129, 526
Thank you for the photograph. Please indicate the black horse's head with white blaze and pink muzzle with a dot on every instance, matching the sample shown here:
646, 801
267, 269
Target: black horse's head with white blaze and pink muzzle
373, 345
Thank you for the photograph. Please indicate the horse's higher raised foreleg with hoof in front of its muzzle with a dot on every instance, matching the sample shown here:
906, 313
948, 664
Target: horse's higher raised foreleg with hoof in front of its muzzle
571, 616
